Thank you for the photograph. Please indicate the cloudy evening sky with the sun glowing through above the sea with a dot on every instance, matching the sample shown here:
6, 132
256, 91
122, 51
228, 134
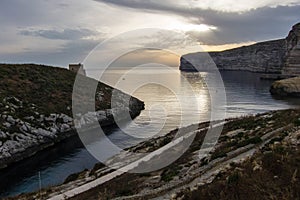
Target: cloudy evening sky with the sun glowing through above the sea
59, 32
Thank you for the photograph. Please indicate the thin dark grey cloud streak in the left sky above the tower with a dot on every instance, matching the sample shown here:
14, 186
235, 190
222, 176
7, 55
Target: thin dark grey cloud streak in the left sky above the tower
66, 34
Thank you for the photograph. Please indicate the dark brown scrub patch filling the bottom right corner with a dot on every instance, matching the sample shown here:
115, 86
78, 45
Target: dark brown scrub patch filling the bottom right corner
278, 179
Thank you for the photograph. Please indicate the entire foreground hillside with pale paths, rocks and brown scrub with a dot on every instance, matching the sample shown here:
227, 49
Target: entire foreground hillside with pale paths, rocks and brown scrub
254, 153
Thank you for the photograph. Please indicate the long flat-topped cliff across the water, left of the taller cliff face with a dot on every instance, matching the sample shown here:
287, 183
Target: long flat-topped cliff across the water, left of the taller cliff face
265, 57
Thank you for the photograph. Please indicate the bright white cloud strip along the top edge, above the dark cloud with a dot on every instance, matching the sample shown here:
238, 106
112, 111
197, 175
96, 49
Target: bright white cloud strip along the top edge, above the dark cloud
187, 7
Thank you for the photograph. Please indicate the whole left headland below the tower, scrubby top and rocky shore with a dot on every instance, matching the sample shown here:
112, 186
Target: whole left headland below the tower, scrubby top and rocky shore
36, 109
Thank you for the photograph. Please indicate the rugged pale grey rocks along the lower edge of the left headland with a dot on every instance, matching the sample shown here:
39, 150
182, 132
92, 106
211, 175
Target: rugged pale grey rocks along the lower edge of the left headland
23, 137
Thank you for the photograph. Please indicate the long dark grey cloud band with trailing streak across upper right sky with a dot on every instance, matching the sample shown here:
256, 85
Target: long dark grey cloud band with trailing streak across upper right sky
254, 25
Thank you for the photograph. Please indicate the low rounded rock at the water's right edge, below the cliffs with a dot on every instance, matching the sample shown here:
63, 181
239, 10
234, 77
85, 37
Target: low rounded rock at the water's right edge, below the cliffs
286, 87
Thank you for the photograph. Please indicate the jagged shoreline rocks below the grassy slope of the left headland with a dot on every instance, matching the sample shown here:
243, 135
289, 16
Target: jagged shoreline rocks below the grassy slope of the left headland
31, 140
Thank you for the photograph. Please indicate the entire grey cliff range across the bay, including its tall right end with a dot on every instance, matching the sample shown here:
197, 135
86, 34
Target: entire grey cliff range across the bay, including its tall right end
275, 57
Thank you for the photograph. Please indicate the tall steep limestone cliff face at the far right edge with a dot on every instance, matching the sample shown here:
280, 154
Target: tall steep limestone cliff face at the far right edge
292, 58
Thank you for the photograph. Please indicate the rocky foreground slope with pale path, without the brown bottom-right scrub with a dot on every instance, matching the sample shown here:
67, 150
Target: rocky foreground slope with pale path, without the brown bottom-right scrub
242, 139
